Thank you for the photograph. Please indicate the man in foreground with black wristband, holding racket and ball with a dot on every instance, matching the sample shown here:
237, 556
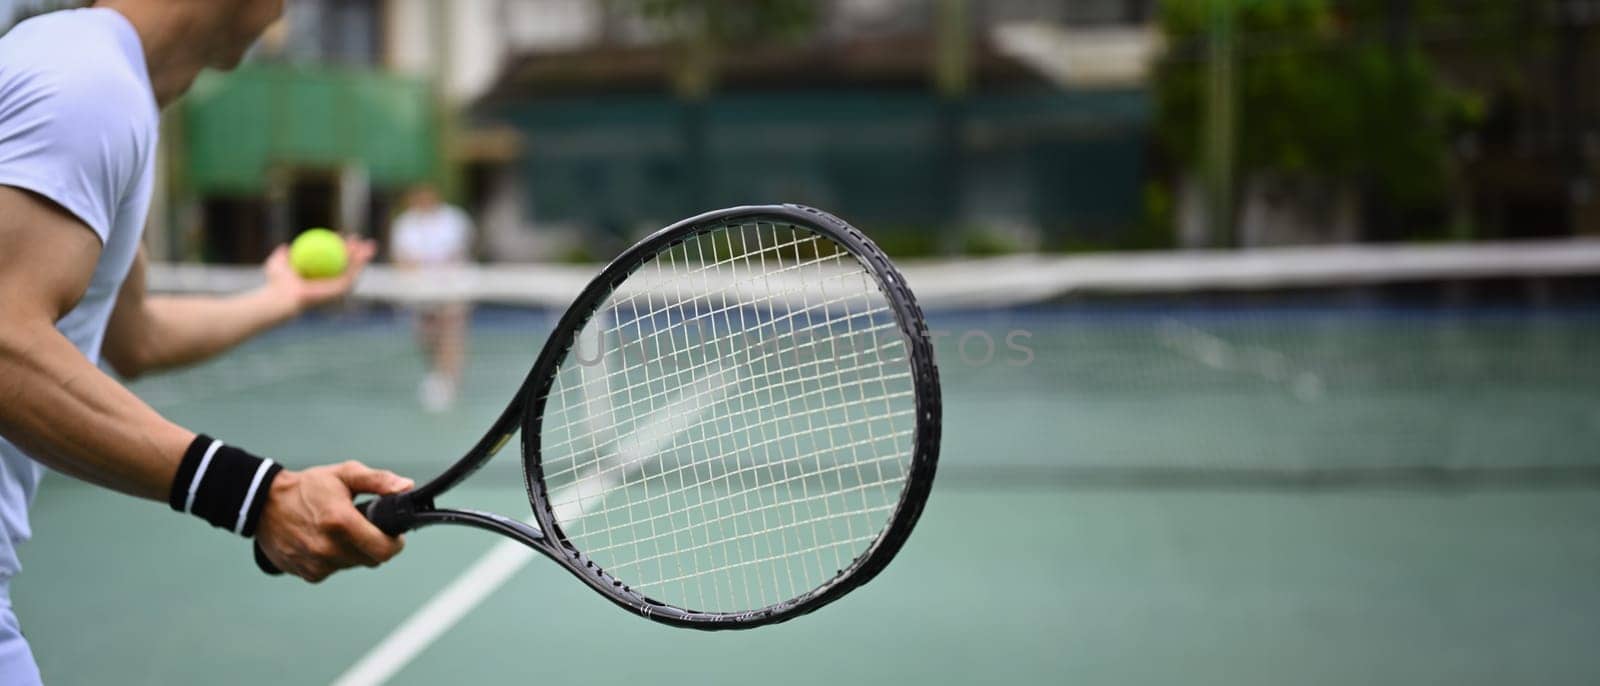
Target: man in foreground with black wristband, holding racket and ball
79, 105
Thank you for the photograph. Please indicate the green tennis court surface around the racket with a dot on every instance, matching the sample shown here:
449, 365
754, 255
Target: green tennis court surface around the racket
1233, 497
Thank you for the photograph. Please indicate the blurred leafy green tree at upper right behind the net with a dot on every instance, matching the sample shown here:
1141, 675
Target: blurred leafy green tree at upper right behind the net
1327, 95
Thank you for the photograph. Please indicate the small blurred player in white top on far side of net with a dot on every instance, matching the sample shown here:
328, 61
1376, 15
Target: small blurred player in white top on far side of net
436, 241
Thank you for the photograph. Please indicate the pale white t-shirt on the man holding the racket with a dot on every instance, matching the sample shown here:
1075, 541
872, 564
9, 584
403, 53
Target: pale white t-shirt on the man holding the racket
78, 126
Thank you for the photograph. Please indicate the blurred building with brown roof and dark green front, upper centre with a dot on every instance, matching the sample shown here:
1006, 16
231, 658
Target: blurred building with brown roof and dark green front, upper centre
1041, 137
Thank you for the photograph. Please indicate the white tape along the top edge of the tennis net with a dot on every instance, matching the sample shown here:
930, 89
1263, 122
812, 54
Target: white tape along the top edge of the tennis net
1004, 282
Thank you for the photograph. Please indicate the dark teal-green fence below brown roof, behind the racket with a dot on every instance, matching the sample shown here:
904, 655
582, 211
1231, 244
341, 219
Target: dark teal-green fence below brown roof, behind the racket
1066, 162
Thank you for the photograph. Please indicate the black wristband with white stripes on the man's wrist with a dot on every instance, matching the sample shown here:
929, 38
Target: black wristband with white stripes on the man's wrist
223, 485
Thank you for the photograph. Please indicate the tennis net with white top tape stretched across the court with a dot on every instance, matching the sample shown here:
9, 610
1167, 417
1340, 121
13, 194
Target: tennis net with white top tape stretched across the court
1390, 367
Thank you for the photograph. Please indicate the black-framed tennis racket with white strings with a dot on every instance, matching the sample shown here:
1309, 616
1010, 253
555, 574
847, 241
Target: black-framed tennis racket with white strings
735, 425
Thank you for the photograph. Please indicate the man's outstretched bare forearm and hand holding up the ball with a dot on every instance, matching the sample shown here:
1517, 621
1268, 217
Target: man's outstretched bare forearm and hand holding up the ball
151, 333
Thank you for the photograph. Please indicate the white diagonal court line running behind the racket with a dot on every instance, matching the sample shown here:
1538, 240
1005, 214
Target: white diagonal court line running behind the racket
506, 559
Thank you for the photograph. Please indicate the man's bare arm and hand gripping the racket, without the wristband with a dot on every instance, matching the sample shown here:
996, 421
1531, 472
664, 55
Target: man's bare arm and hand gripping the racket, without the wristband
71, 417
